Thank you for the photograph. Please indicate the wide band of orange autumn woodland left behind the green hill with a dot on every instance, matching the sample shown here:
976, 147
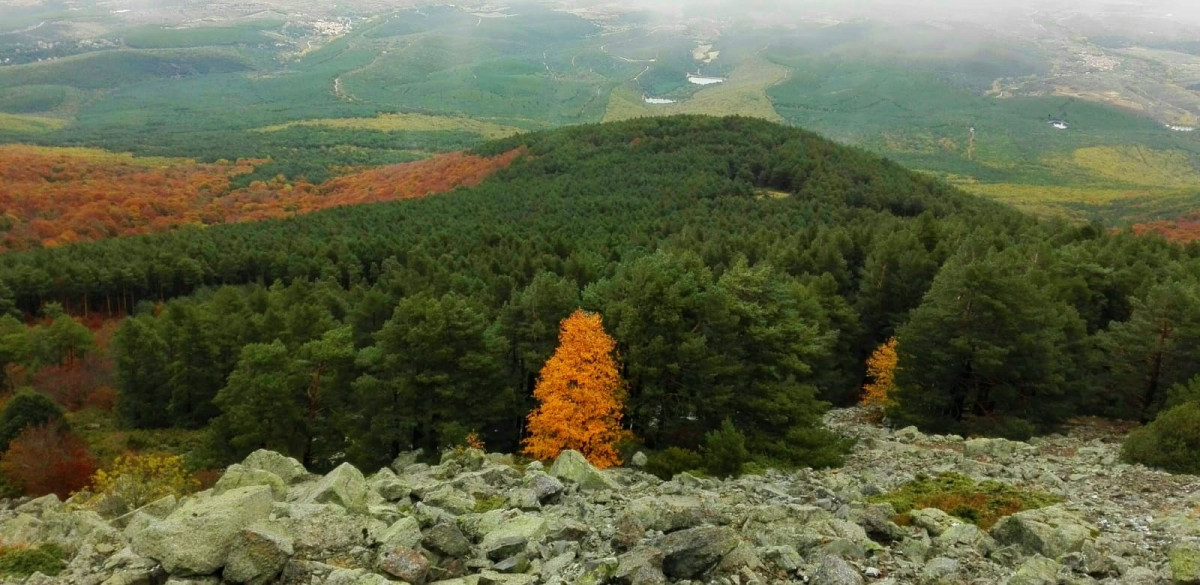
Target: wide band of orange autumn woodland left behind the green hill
55, 197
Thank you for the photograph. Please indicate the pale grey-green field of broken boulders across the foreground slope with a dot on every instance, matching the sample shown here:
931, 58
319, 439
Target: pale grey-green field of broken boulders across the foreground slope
477, 520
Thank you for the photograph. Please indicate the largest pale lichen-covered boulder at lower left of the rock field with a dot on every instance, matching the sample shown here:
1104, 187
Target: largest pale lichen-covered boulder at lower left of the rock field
197, 538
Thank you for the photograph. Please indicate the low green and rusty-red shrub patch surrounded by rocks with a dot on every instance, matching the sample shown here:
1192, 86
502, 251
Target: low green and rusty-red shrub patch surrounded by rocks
982, 504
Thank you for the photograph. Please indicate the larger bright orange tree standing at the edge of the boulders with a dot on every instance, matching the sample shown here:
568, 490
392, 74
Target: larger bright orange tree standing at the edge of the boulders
580, 396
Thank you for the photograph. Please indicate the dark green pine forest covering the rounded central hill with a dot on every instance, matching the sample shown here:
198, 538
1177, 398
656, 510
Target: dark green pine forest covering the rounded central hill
746, 272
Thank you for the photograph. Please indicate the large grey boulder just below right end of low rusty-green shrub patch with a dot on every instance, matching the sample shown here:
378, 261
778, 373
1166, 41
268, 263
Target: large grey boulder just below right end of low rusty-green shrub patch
1052, 532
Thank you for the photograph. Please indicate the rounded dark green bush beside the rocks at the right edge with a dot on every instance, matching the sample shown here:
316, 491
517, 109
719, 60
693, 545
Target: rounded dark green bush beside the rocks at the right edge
1171, 443
